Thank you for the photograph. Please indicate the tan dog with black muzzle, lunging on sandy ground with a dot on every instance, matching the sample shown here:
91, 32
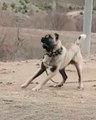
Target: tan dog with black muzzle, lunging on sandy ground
57, 58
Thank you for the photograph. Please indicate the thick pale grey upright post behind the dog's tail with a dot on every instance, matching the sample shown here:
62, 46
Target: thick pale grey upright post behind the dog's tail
87, 24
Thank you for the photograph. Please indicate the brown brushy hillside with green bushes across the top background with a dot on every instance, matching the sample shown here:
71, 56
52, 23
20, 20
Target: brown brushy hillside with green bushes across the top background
39, 14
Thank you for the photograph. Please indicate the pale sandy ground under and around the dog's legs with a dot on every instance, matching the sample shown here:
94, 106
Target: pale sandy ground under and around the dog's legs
65, 103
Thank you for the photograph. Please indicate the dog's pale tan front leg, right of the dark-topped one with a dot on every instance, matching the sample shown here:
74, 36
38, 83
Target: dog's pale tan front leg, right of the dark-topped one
39, 86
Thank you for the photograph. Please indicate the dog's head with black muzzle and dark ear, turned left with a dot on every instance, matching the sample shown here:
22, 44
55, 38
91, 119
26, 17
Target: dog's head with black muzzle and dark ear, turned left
50, 41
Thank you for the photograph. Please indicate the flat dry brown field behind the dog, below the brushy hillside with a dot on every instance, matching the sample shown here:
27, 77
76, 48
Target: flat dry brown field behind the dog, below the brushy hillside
28, 45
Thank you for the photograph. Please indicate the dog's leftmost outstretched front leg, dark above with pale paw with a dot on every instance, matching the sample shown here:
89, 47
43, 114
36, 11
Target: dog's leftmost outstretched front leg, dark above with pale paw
42, 69
